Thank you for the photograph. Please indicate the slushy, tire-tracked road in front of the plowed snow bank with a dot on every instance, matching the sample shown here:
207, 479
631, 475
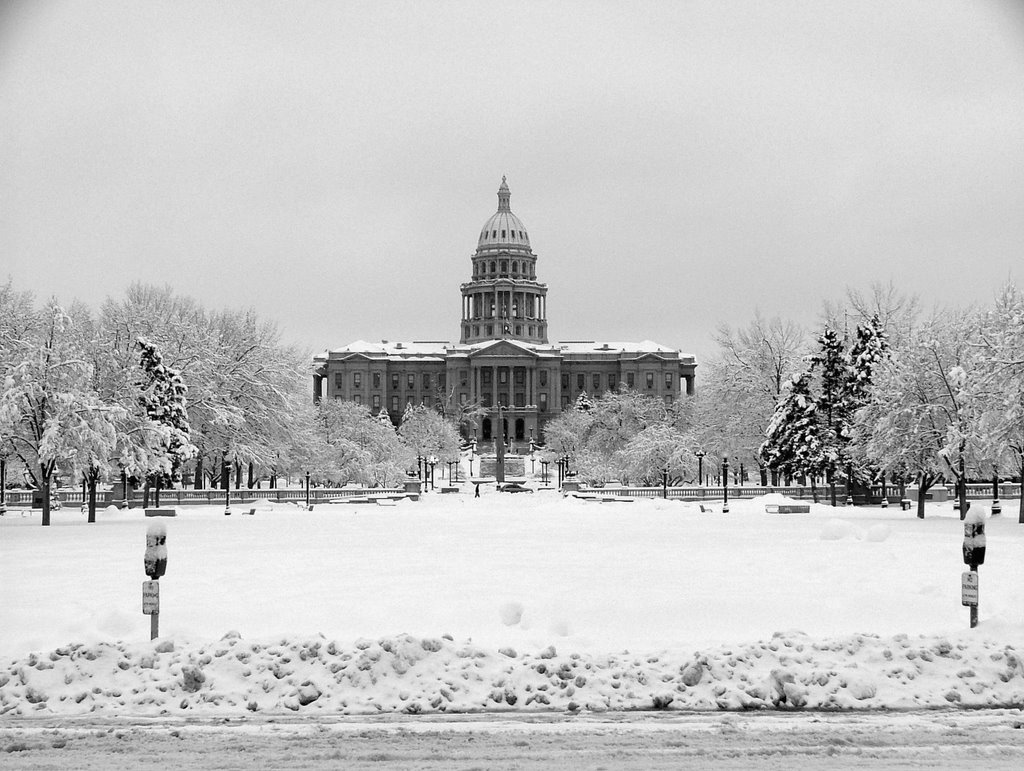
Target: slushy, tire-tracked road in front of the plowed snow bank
994, 740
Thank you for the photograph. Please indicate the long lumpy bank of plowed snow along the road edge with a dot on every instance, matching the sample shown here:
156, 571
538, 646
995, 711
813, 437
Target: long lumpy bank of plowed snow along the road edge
406, 674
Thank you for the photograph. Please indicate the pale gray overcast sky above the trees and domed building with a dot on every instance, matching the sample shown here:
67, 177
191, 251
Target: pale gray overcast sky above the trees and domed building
677, 164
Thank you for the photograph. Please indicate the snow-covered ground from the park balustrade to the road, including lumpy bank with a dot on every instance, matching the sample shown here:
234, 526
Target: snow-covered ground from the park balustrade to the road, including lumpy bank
508, 603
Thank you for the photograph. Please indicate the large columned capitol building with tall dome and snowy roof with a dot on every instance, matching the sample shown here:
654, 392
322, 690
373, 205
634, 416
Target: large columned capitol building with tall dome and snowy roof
503, 358
